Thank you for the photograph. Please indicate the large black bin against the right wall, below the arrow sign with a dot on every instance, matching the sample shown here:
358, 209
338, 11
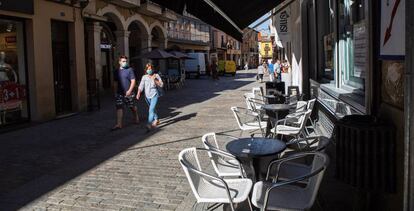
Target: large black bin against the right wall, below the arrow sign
365, 153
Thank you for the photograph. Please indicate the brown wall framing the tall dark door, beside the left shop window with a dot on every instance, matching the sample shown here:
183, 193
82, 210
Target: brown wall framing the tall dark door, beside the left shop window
40, 60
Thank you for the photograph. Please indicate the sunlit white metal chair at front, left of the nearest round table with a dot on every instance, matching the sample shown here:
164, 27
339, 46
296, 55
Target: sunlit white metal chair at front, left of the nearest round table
208, 188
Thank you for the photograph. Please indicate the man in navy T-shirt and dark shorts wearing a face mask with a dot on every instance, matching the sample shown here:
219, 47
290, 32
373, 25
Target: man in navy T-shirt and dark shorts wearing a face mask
124, 83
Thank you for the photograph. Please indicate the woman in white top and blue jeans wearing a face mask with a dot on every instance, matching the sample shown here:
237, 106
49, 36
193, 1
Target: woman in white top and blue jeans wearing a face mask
150, 83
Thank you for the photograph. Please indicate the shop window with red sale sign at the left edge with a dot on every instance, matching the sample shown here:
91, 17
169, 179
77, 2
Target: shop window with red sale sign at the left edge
13, 84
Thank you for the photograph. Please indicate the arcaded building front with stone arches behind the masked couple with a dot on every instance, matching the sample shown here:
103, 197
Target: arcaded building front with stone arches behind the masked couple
122, 28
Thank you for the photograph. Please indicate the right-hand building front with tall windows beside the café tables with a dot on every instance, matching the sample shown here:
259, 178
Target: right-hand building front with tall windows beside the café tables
356, 65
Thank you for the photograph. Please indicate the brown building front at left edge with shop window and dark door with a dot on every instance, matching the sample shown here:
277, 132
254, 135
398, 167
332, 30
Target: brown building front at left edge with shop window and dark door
42, 60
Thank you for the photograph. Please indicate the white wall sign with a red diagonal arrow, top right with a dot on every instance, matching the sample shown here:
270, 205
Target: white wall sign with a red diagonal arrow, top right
392, 43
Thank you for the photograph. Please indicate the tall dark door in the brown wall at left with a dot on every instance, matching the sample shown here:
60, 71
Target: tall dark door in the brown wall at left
61, 67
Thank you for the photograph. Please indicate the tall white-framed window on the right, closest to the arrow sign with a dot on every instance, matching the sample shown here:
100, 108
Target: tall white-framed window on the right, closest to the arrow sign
353, 47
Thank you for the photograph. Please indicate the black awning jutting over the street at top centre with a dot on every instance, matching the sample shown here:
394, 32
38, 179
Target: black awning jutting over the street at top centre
241, 12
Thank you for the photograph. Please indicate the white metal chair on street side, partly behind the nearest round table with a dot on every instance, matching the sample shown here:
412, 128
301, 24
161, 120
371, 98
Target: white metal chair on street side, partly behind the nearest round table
224, 166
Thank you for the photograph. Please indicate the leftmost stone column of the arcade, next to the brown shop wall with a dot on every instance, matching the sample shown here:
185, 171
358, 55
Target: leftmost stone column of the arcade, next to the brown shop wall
94, 68
